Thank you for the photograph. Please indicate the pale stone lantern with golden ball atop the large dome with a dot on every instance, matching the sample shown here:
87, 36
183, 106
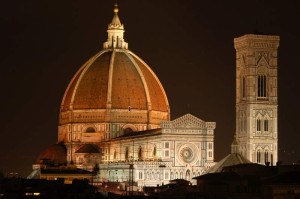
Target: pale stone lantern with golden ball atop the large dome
115, 32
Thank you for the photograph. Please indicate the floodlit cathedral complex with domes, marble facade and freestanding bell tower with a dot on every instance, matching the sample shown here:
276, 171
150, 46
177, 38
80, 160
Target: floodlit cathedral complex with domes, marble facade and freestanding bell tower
115, 116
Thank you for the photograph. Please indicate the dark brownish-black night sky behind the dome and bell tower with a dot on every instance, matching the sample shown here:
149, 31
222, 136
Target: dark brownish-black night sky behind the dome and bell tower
187, 43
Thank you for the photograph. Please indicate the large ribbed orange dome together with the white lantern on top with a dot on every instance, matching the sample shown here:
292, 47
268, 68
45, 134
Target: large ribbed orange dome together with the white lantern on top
112, 83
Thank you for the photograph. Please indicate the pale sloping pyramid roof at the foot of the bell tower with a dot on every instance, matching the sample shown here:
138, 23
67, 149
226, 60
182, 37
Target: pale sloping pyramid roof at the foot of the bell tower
229, 160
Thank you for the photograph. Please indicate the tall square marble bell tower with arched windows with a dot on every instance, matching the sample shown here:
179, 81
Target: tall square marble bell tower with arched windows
256, 97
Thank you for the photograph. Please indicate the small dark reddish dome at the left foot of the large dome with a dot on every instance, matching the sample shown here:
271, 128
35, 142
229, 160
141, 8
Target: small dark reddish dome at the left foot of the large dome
56, 154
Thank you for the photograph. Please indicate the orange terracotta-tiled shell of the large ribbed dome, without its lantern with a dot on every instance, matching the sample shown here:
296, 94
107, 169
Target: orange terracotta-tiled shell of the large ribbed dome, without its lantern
115, 79
